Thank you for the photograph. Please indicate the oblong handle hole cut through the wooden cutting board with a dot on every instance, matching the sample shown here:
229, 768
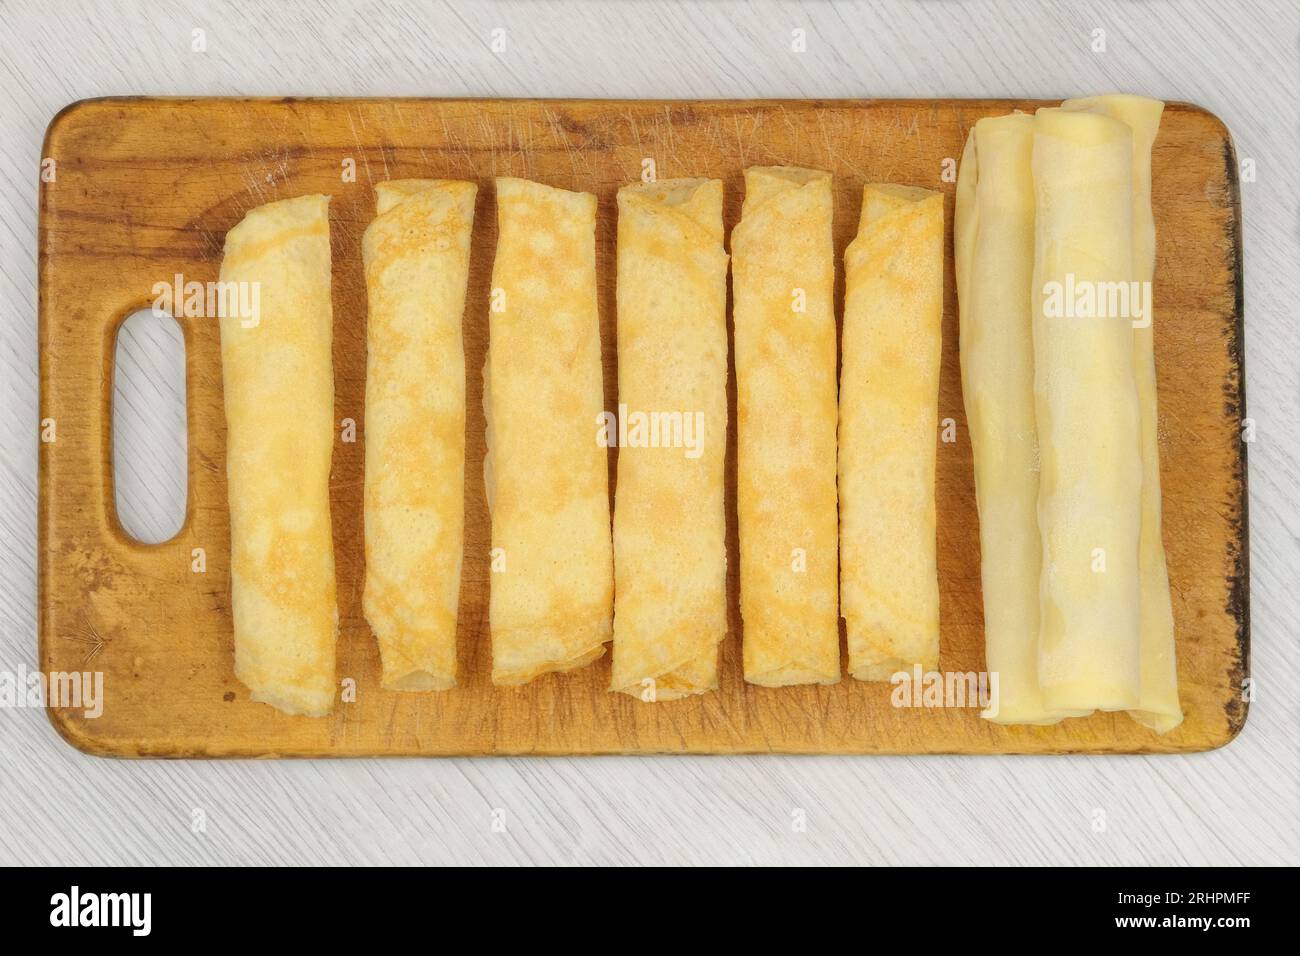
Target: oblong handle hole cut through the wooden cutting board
150, 436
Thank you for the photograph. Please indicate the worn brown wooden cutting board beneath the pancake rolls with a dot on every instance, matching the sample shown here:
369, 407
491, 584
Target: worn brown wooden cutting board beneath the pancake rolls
148, 188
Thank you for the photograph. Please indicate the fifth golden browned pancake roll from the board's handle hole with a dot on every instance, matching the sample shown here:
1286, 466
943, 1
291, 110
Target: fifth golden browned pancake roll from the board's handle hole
786, 391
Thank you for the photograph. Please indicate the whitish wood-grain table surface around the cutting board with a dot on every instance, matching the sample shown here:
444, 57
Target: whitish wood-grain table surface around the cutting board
1234, 806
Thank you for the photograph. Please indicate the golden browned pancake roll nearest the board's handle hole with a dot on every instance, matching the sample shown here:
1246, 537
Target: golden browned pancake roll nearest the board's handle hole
279, 383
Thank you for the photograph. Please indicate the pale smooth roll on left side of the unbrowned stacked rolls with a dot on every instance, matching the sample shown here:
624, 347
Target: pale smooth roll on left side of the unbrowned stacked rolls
994, 246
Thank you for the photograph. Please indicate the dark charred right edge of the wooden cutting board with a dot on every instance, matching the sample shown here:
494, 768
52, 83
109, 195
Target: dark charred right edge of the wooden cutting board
1234, 393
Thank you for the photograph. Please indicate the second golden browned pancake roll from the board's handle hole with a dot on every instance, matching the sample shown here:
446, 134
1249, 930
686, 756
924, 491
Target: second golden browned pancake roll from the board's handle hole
417, 256
